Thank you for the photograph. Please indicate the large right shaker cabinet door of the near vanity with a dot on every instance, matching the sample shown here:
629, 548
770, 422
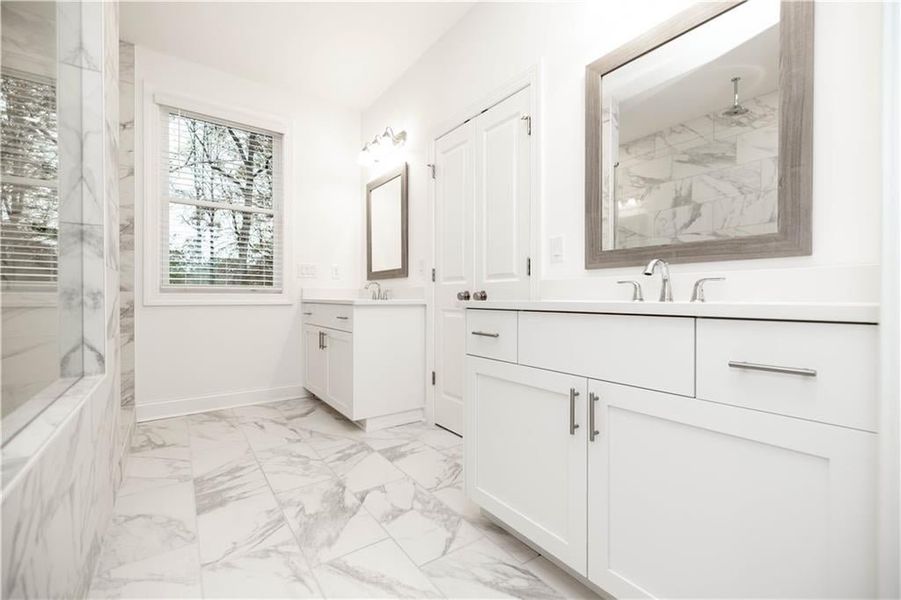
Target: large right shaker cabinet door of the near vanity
688, 498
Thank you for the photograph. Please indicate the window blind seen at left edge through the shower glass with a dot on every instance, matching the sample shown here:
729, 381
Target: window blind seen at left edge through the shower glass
29, 202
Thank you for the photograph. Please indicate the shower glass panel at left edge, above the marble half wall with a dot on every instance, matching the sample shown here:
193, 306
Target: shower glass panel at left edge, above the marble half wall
40, 249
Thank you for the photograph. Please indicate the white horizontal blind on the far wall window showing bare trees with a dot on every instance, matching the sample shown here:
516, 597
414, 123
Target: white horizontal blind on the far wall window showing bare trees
221, 201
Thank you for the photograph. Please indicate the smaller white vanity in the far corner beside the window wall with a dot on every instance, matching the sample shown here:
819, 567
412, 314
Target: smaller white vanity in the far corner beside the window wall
366, 358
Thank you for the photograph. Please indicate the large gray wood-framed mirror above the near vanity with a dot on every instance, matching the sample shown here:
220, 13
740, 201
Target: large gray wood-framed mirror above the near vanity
611, 240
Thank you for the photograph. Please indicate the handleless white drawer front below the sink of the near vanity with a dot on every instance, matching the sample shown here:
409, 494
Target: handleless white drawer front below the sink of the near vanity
650, 352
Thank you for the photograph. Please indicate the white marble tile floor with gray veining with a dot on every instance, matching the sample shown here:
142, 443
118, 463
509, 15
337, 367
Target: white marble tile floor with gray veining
290, 500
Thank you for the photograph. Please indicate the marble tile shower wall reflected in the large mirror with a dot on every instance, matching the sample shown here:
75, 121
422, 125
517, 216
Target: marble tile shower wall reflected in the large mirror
711, 177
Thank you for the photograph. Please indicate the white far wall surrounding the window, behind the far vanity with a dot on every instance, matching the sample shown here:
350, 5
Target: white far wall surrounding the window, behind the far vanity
199, 357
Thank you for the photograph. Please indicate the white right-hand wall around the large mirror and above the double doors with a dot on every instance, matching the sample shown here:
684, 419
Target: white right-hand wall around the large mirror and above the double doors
495, 42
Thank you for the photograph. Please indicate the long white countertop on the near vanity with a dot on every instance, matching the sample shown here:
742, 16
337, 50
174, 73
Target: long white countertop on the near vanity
839, 313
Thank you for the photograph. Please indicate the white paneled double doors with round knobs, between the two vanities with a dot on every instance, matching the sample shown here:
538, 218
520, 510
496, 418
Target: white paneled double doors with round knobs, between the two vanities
482, 224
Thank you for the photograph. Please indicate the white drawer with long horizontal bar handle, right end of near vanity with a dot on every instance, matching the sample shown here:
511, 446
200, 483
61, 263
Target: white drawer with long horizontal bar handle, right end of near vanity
819, 371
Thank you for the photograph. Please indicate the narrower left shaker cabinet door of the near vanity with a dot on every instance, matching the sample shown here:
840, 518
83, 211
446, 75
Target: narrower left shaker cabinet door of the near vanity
525, 453
